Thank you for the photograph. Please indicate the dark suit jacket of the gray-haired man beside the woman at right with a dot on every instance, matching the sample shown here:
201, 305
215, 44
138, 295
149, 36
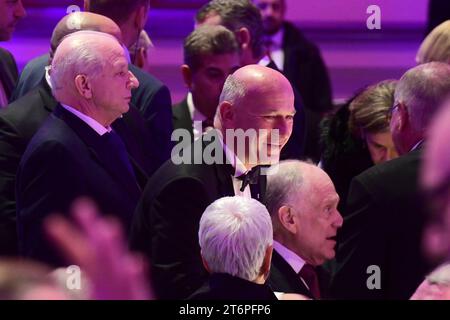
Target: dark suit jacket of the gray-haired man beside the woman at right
383, 224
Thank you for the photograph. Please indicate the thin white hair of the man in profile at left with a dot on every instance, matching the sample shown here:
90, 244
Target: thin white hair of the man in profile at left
85, 57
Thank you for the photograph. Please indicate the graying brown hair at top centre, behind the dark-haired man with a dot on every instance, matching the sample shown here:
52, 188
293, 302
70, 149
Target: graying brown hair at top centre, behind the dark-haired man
236, 14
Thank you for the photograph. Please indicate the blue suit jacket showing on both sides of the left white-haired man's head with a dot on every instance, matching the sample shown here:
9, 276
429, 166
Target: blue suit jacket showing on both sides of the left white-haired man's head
152, 98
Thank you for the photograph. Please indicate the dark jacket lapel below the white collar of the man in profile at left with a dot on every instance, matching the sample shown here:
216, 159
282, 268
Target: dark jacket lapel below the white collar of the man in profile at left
100, 152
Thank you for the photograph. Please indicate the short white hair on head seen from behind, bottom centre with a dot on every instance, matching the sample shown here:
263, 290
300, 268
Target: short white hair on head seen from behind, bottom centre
234, 235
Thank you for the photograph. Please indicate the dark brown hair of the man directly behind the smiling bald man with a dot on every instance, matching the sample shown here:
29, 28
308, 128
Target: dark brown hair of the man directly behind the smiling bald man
208, 40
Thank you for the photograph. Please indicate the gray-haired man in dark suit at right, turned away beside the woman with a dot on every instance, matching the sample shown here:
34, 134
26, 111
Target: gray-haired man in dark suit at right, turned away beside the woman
379, 252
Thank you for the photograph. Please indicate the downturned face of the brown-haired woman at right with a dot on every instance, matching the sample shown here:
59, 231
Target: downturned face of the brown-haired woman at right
380, 146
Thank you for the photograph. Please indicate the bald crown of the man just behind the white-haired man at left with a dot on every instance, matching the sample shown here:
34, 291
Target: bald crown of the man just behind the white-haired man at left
79, 21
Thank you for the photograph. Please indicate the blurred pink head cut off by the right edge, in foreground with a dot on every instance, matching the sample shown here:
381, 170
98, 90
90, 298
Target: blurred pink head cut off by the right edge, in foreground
436, 183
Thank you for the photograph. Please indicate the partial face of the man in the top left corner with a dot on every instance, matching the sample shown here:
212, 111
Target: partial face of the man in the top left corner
11, 11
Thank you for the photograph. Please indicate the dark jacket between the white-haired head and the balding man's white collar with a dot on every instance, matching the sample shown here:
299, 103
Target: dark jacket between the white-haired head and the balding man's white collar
284, 279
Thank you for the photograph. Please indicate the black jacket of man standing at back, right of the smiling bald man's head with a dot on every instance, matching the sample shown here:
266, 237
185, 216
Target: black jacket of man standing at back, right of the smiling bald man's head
304, 67
